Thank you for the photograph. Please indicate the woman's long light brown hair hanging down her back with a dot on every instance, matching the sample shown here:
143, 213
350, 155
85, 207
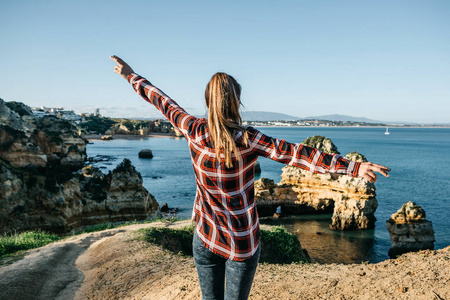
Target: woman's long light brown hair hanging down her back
222, 97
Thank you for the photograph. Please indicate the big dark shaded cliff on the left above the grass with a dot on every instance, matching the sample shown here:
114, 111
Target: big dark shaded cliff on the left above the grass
43, 186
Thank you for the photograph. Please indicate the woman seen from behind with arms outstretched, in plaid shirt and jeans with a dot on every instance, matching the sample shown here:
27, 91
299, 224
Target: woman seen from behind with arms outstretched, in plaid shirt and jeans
226, 238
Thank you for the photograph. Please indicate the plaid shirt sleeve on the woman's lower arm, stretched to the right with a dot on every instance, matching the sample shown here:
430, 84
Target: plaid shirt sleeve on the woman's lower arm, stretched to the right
302, 156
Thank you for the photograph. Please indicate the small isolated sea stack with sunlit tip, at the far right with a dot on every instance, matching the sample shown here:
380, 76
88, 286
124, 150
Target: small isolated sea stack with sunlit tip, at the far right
409, 230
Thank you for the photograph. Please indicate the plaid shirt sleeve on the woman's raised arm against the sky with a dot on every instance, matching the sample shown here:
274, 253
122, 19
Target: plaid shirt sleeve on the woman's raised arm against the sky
179, 118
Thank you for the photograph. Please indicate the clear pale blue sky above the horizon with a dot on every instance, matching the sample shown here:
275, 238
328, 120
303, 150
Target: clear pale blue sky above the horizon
385, 60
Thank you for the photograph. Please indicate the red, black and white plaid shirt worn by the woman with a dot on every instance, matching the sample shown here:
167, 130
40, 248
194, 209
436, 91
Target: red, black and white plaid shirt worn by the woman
224, 208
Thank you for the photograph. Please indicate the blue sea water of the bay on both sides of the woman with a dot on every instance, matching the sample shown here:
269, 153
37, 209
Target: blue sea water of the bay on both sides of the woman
419, 159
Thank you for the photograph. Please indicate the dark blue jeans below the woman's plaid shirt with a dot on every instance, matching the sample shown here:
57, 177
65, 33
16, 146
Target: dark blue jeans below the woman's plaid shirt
212, 270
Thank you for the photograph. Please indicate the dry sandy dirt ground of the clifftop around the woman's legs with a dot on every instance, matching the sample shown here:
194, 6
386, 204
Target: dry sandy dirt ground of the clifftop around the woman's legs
113, 264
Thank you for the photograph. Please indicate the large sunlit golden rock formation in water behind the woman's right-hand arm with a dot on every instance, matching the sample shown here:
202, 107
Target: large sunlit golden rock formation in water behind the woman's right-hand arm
351, 200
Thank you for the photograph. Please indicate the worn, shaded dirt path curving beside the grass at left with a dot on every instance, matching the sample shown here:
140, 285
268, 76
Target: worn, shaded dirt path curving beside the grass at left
49, 272
